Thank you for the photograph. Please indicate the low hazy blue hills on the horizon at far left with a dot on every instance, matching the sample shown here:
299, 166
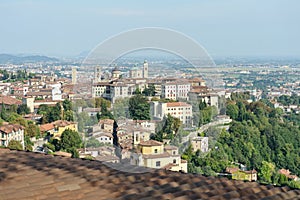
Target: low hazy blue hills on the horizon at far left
7, 58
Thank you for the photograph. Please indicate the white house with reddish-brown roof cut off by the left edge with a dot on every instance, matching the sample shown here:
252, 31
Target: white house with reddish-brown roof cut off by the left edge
10, 132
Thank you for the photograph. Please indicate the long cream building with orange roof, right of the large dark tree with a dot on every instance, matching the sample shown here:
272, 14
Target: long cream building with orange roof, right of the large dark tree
180, 110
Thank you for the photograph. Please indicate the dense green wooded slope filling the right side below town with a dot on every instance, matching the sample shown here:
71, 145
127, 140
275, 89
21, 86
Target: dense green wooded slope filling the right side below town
259, 136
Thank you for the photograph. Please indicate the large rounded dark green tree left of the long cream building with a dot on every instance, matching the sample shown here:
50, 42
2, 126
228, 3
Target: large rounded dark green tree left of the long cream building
139, 108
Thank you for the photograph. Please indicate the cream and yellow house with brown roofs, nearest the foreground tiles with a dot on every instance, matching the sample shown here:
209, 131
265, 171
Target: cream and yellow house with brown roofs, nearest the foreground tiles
154, 154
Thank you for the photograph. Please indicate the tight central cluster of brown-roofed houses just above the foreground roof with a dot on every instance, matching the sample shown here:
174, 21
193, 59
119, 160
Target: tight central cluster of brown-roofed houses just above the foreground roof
133, 145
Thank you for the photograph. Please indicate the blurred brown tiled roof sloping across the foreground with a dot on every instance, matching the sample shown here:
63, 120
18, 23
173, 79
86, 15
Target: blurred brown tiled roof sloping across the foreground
25, 175
